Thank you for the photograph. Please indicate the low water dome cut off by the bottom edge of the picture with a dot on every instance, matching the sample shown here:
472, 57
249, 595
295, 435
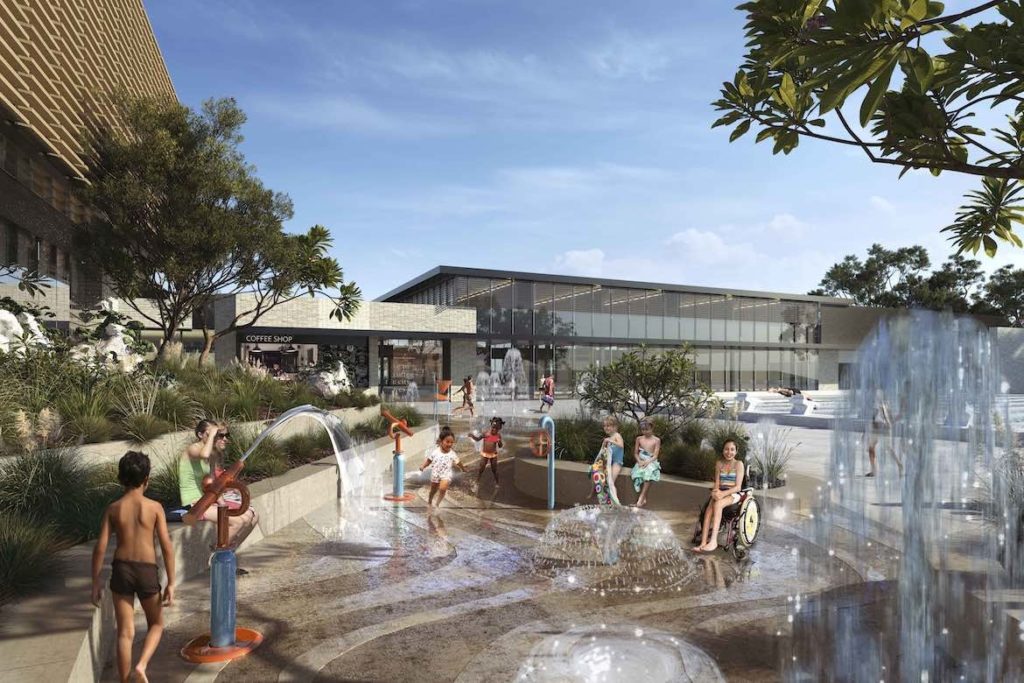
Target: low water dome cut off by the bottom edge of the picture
610, 653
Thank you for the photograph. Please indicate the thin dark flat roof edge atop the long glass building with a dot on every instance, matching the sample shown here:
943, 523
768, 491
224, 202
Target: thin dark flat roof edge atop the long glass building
449, 271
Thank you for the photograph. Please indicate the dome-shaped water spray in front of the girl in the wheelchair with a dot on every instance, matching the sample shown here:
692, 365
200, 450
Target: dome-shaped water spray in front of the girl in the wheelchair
612, 549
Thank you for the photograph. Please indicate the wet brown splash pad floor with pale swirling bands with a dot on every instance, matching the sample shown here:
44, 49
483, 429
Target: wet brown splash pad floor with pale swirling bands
396, 593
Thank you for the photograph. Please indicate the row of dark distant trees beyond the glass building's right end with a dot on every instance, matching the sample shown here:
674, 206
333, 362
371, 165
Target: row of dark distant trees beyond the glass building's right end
904, 279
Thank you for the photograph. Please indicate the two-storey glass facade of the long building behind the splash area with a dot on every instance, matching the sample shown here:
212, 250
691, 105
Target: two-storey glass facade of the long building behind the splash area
740, 343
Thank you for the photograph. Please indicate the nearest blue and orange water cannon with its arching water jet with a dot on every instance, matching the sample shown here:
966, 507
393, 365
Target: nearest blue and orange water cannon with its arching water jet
227, 642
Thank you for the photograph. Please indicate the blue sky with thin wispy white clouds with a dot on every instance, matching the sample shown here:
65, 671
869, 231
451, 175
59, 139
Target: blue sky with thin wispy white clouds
566, 137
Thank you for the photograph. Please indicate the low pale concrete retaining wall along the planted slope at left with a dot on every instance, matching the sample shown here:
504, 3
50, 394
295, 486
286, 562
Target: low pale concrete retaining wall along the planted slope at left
60, 636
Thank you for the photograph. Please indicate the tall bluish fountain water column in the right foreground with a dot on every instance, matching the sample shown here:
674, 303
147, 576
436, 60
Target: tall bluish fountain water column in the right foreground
934, 500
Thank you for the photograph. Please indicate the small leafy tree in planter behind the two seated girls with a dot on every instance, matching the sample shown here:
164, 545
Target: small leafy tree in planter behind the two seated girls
647, 383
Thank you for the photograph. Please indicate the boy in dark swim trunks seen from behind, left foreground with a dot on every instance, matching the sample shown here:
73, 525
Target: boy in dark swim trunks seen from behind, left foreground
135, 520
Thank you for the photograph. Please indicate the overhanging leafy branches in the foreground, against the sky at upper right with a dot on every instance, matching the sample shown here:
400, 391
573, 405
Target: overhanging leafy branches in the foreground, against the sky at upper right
806, 59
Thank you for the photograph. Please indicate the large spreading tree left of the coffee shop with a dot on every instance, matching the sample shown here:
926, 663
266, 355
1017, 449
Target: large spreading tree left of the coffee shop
181, 219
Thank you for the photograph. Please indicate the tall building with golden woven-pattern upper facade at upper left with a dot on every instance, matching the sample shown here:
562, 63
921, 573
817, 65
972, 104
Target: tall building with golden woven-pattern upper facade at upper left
62, 61
